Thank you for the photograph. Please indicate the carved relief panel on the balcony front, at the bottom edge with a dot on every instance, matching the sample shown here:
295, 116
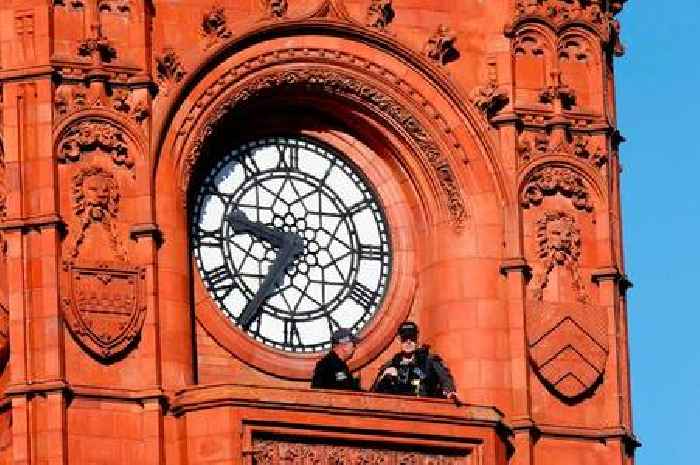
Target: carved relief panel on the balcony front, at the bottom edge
273, 452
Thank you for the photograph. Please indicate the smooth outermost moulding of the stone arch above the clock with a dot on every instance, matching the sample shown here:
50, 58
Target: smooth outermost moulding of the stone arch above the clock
472, 121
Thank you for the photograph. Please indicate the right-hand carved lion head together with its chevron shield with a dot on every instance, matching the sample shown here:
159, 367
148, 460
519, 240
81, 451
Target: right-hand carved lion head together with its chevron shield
567, 340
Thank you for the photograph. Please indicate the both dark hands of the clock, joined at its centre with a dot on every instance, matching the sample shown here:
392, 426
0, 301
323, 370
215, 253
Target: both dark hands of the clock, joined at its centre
290, 245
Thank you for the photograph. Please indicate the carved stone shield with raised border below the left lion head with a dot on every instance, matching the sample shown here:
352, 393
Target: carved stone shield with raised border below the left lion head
104, 307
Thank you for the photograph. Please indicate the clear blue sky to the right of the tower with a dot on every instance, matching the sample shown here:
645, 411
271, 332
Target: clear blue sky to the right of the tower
657, 94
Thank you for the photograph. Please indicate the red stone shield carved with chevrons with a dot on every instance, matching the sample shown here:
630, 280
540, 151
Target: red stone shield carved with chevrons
568, 345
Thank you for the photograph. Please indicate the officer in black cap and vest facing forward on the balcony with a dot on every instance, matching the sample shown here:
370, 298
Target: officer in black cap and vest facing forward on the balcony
415, 371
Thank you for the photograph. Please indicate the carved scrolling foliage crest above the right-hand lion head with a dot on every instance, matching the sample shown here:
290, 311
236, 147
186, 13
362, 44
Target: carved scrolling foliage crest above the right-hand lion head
551, 180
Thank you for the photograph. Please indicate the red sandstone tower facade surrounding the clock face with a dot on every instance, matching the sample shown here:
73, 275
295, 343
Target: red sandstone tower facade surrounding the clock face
488, 130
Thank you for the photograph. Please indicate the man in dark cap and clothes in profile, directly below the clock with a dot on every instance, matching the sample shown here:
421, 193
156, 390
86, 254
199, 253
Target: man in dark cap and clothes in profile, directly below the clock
332, 371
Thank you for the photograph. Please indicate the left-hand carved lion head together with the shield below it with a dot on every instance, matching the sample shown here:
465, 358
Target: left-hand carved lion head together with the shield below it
103, 302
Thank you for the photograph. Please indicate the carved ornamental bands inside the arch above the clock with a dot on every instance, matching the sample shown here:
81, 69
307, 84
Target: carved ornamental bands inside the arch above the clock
338, 84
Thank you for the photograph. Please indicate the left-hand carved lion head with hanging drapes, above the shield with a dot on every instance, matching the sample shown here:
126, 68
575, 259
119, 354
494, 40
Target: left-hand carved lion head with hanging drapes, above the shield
95, 199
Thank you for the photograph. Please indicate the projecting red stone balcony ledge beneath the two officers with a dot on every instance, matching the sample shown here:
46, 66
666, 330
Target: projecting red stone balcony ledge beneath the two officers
237, 424
